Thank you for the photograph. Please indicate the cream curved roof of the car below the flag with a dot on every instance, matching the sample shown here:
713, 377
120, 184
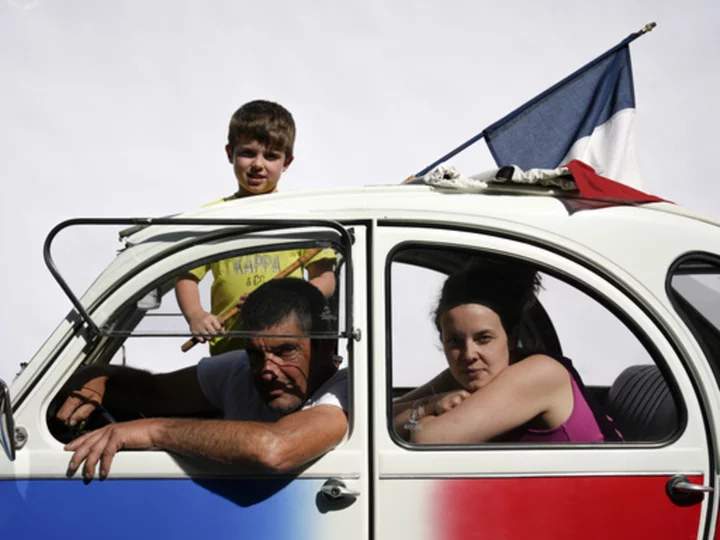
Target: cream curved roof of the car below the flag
610, 234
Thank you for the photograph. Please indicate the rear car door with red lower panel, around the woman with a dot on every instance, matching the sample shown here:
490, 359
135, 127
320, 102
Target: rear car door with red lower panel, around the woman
571, 490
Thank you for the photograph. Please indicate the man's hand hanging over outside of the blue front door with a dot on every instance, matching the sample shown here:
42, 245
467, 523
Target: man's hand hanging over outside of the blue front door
102, 445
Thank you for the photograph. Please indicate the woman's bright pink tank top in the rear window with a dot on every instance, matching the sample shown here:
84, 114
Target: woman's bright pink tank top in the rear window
579, 427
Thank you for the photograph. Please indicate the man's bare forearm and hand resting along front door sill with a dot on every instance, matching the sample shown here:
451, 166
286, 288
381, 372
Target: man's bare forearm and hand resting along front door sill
280, 446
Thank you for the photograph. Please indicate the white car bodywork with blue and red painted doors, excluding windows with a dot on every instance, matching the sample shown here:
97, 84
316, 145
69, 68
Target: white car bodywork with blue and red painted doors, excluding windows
621, 254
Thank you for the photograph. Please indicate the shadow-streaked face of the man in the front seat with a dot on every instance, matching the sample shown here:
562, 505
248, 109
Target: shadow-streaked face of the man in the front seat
281, 366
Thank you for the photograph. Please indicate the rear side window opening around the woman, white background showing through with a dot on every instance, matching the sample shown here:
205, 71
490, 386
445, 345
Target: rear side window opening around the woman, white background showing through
620, 372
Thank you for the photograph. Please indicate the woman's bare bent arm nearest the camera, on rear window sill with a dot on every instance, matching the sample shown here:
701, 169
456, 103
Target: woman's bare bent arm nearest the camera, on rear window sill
535, 389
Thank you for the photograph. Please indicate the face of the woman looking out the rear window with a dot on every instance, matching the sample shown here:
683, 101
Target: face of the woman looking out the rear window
475, 344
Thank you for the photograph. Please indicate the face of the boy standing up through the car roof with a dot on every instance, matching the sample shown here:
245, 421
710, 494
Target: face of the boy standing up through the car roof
257, 168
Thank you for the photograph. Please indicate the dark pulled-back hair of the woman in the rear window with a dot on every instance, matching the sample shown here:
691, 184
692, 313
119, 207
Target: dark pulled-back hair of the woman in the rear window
508, 289
